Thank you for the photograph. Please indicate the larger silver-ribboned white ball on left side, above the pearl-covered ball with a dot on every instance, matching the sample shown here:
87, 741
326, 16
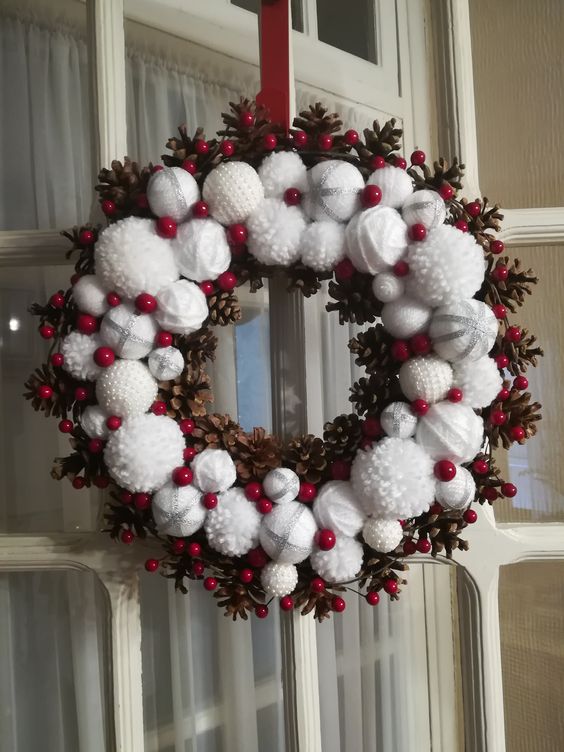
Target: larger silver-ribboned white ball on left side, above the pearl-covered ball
130, 334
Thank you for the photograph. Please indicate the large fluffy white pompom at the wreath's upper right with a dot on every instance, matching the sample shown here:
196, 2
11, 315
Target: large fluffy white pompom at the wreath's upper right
445, 267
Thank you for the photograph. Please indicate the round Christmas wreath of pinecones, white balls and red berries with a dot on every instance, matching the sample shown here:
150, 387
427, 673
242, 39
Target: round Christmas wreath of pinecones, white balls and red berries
250, 517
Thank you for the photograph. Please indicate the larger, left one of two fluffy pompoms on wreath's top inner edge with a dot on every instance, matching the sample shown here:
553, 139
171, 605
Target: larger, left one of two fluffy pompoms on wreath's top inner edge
275, 231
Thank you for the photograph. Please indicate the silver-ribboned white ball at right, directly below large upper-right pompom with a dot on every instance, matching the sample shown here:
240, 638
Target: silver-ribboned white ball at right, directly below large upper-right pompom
463, 330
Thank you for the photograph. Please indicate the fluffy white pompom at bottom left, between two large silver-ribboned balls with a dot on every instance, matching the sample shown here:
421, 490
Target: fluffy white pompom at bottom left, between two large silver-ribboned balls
232, 528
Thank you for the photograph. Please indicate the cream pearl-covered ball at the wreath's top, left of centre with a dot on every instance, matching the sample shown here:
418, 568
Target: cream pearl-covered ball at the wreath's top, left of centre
233, 191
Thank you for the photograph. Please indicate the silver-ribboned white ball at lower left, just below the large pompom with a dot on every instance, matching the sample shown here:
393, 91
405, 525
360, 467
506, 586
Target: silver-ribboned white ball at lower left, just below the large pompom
178, 510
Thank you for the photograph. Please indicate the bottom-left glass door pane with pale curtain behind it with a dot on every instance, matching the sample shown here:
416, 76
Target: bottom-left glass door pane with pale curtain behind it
55, 691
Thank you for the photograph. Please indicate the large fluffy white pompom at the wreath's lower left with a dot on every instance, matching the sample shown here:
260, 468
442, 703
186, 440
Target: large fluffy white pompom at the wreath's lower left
142, 454
